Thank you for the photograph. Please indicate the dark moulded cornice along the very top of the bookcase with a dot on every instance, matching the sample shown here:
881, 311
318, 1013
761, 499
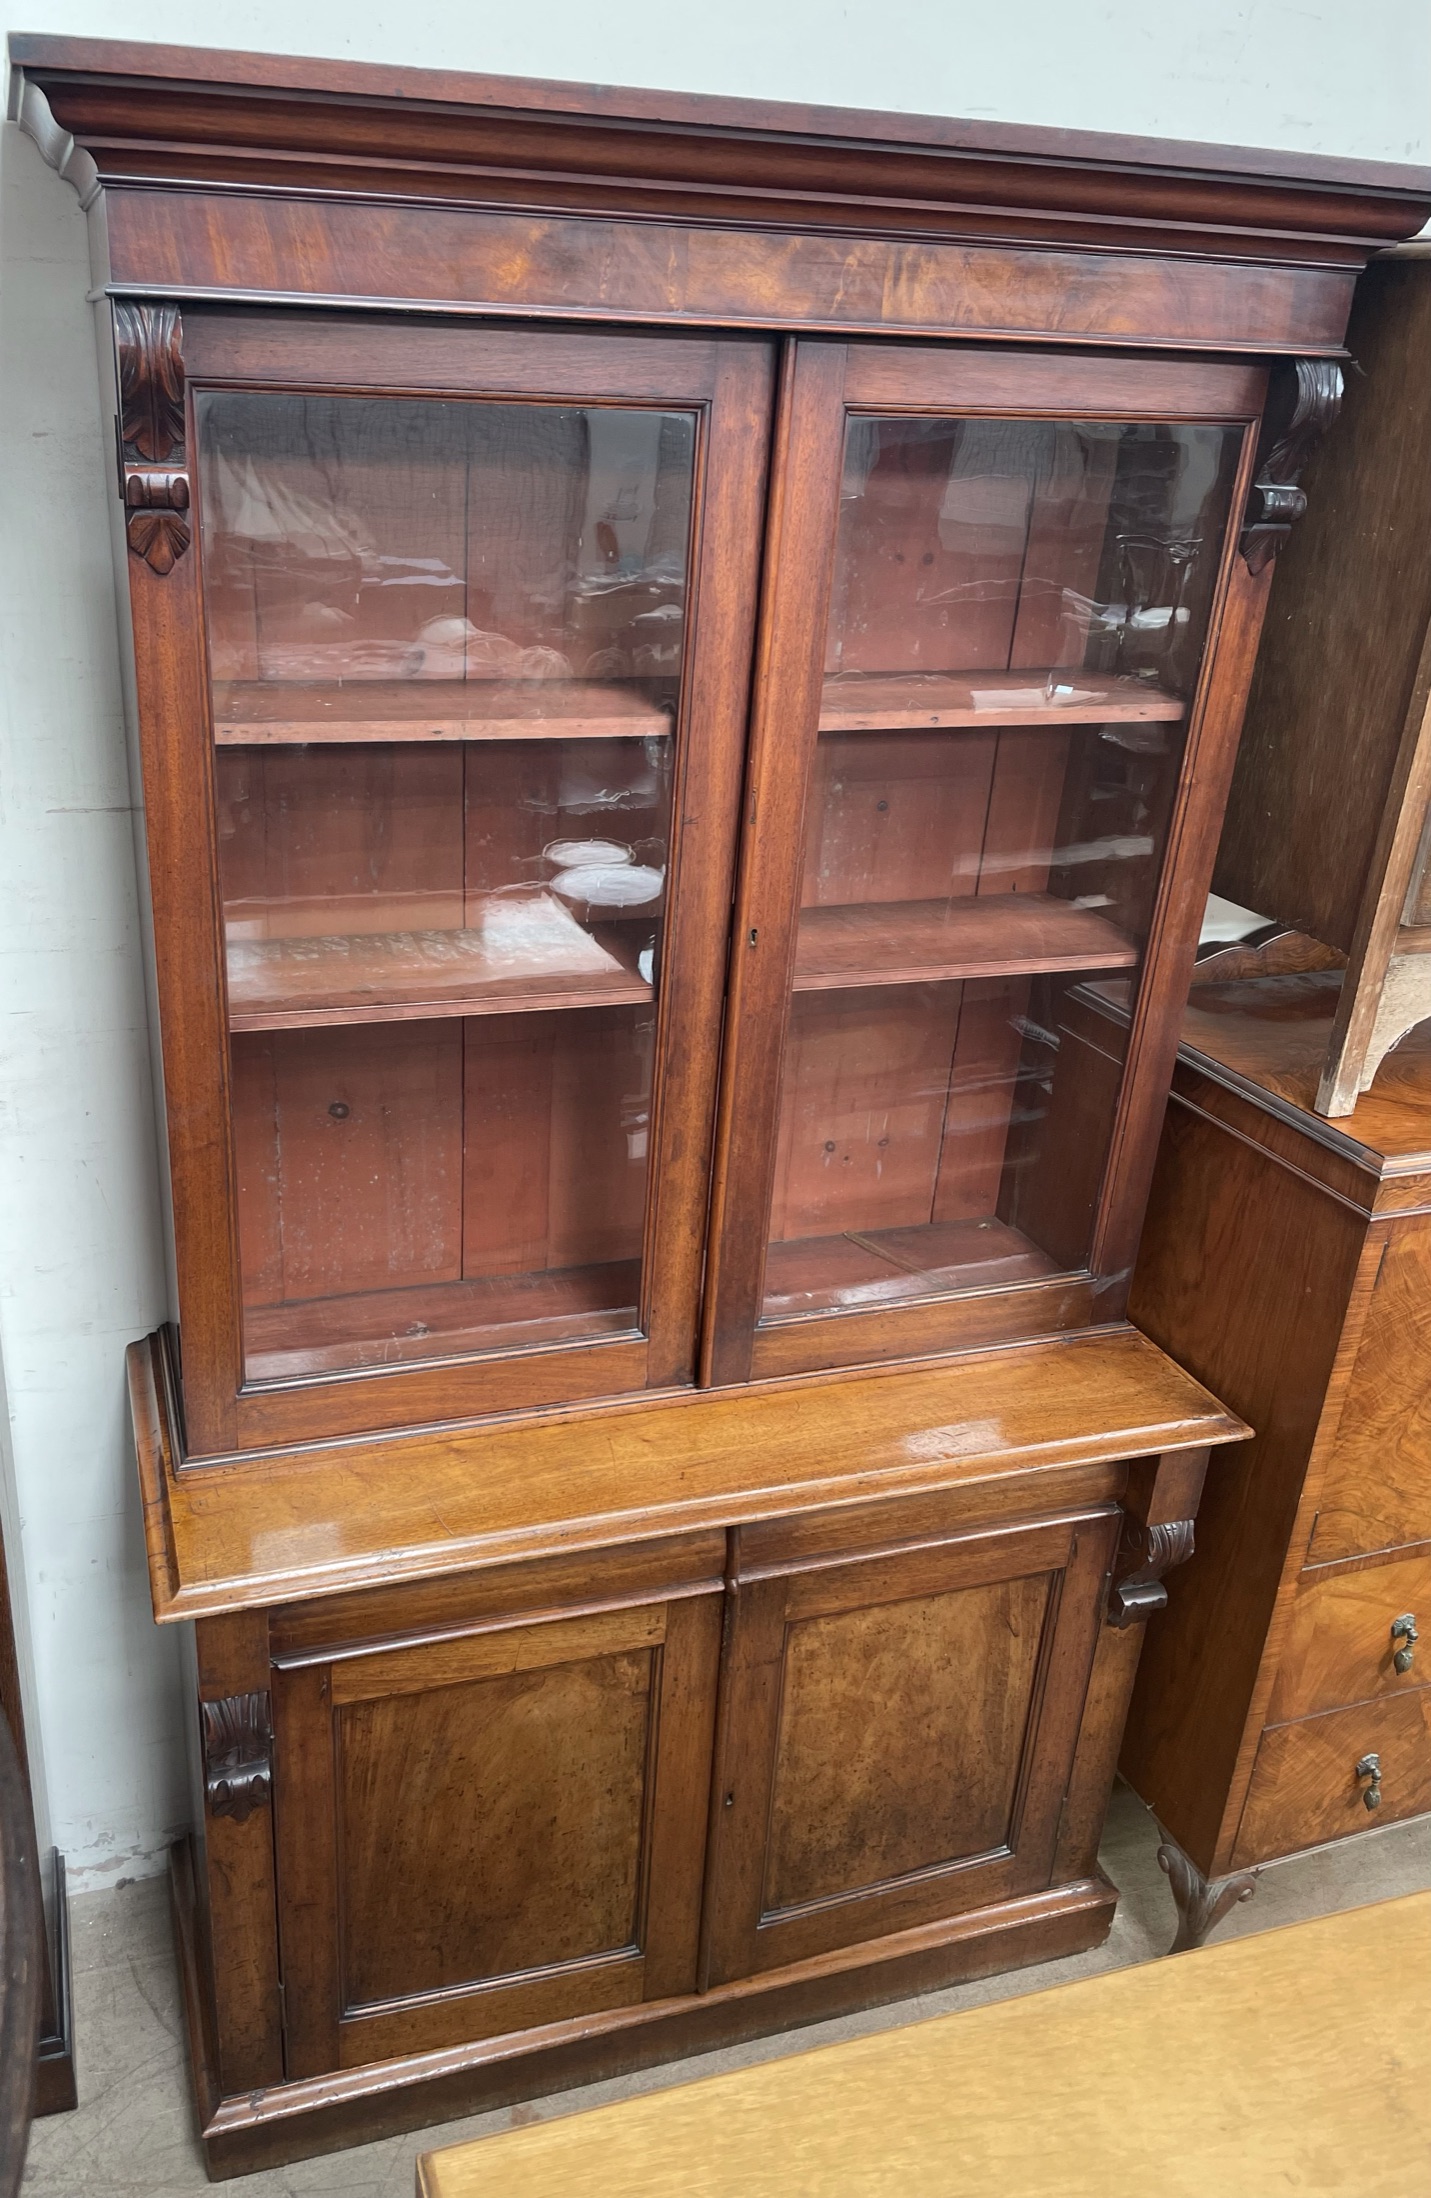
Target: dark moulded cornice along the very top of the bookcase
111, 113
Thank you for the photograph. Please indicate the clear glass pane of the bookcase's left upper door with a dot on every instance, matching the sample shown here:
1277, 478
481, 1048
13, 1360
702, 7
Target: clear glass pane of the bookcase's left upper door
445, 645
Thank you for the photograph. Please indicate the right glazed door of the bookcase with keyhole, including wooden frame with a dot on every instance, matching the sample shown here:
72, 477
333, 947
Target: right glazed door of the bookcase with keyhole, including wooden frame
990, 746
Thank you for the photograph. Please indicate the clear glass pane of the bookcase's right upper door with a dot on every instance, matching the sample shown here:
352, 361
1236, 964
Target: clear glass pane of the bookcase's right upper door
1017, 630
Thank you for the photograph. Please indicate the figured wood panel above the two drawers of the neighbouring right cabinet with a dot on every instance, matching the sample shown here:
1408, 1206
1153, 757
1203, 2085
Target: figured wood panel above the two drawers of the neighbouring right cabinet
1377, 1491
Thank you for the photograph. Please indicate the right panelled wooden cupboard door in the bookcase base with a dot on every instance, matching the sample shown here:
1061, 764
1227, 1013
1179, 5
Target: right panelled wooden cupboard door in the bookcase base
898, 1735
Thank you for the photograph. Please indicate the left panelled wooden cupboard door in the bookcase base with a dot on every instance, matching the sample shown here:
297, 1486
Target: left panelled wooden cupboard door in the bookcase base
491, 1830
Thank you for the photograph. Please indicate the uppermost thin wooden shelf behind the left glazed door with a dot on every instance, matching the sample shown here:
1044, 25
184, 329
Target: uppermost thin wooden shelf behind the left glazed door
280, 713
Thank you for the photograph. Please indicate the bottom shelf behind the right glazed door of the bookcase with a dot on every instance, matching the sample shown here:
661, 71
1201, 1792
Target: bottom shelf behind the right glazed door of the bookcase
883, 1267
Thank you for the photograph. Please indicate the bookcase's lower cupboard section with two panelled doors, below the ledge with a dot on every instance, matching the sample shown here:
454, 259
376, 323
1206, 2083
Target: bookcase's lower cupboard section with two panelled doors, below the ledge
476, 1839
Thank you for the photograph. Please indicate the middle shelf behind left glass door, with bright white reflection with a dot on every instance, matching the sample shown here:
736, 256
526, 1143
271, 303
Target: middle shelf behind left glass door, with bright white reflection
515, 955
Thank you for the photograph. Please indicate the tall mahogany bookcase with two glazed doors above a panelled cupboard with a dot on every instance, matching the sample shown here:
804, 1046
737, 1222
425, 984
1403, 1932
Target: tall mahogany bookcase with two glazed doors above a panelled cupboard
674, 643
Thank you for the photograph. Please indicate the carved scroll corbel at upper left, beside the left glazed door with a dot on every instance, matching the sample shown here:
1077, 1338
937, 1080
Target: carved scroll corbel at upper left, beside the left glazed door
153, 478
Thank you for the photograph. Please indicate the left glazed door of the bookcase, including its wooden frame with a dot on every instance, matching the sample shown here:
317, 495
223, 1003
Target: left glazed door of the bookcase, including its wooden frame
443, 744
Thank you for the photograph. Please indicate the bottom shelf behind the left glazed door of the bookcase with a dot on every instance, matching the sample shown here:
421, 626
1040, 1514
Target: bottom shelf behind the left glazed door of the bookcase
379, 1329
